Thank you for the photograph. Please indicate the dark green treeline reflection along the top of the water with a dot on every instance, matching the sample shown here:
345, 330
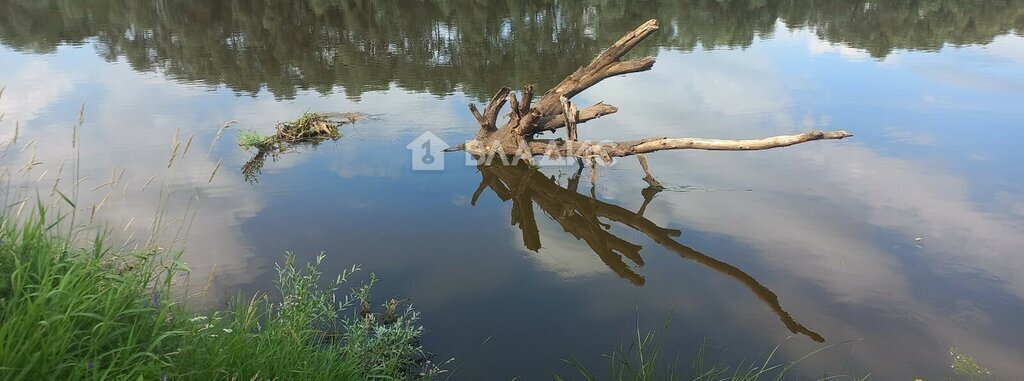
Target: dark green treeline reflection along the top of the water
443, 47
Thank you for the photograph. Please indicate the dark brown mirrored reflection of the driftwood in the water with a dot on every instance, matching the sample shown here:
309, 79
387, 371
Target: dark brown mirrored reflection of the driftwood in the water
581, 217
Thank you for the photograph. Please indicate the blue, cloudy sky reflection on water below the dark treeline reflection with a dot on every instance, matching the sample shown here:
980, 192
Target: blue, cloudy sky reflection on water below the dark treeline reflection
907, 236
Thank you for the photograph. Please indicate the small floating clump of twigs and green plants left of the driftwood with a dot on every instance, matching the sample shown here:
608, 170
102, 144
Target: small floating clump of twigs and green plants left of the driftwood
309, 132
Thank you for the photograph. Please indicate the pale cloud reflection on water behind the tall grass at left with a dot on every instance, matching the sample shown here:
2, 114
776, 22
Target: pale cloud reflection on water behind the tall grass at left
125, 131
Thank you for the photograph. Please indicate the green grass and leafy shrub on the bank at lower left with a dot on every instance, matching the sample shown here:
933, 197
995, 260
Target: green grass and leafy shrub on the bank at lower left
71, 313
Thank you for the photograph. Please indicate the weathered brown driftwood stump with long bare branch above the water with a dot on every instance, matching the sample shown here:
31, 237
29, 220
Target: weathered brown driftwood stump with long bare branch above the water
554, 111
